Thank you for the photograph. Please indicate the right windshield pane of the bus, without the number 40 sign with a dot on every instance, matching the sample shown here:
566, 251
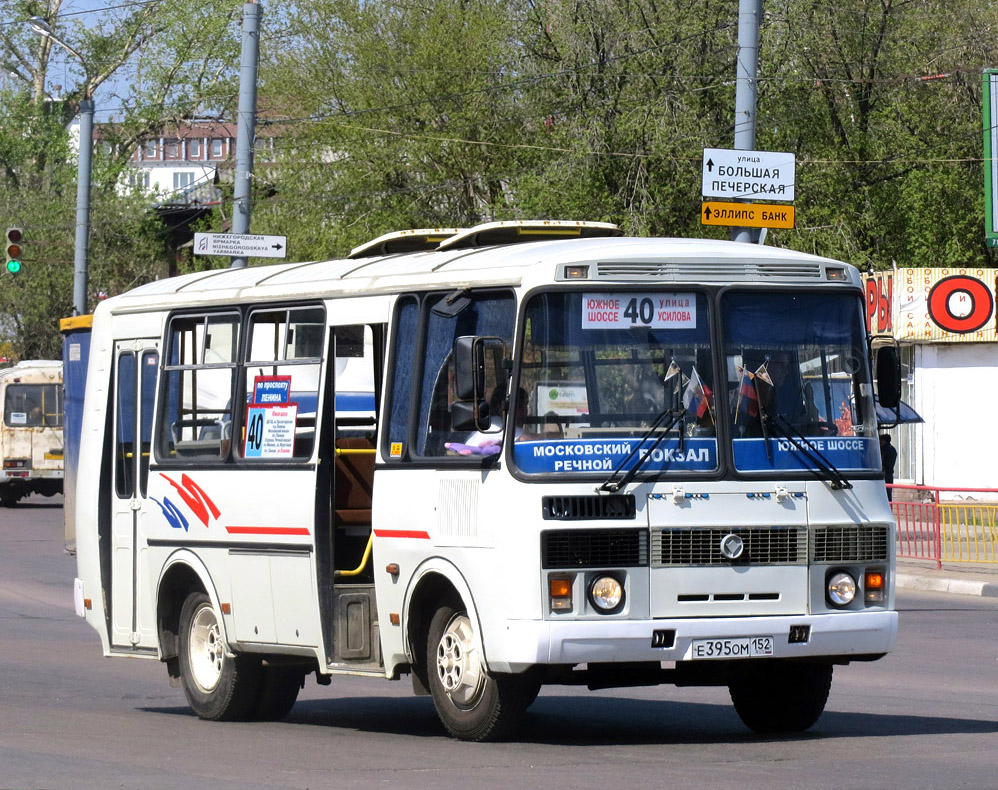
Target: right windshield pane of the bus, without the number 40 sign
796, 370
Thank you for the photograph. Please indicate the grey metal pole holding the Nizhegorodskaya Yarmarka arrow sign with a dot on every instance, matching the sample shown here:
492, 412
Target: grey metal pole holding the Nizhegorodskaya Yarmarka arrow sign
245, 124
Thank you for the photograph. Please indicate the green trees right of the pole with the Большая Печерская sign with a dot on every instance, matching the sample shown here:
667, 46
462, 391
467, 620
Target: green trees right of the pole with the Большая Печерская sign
881, 100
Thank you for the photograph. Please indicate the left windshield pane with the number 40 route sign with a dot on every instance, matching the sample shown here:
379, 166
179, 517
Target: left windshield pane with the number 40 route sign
614, 379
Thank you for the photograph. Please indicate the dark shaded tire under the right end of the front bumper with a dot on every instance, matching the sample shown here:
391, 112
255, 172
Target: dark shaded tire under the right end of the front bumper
781, 697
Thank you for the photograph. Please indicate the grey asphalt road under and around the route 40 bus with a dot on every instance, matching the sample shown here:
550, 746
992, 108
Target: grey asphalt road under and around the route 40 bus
925, 716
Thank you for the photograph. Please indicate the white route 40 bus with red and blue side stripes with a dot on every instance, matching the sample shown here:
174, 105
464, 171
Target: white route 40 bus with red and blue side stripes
524, 454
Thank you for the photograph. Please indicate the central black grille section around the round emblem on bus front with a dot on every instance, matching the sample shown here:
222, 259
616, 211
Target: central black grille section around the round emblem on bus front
702, 546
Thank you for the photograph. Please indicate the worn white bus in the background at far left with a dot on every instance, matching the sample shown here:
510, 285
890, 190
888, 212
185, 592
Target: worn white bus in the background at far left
31, 440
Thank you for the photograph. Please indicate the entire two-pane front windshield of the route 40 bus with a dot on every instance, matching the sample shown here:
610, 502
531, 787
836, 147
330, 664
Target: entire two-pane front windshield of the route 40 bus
614, 380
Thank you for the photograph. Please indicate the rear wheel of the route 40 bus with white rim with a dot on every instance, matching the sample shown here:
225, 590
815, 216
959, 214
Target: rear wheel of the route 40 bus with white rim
218, 687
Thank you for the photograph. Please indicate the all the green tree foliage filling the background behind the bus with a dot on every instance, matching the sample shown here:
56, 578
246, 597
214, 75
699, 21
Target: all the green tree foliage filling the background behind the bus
391, 114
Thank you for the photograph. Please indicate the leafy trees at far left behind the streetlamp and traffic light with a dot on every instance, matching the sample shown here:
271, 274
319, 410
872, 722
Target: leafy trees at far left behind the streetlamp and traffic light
146, 62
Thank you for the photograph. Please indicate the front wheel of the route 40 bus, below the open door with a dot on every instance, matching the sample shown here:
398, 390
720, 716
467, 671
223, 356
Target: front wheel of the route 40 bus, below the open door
472, 704
